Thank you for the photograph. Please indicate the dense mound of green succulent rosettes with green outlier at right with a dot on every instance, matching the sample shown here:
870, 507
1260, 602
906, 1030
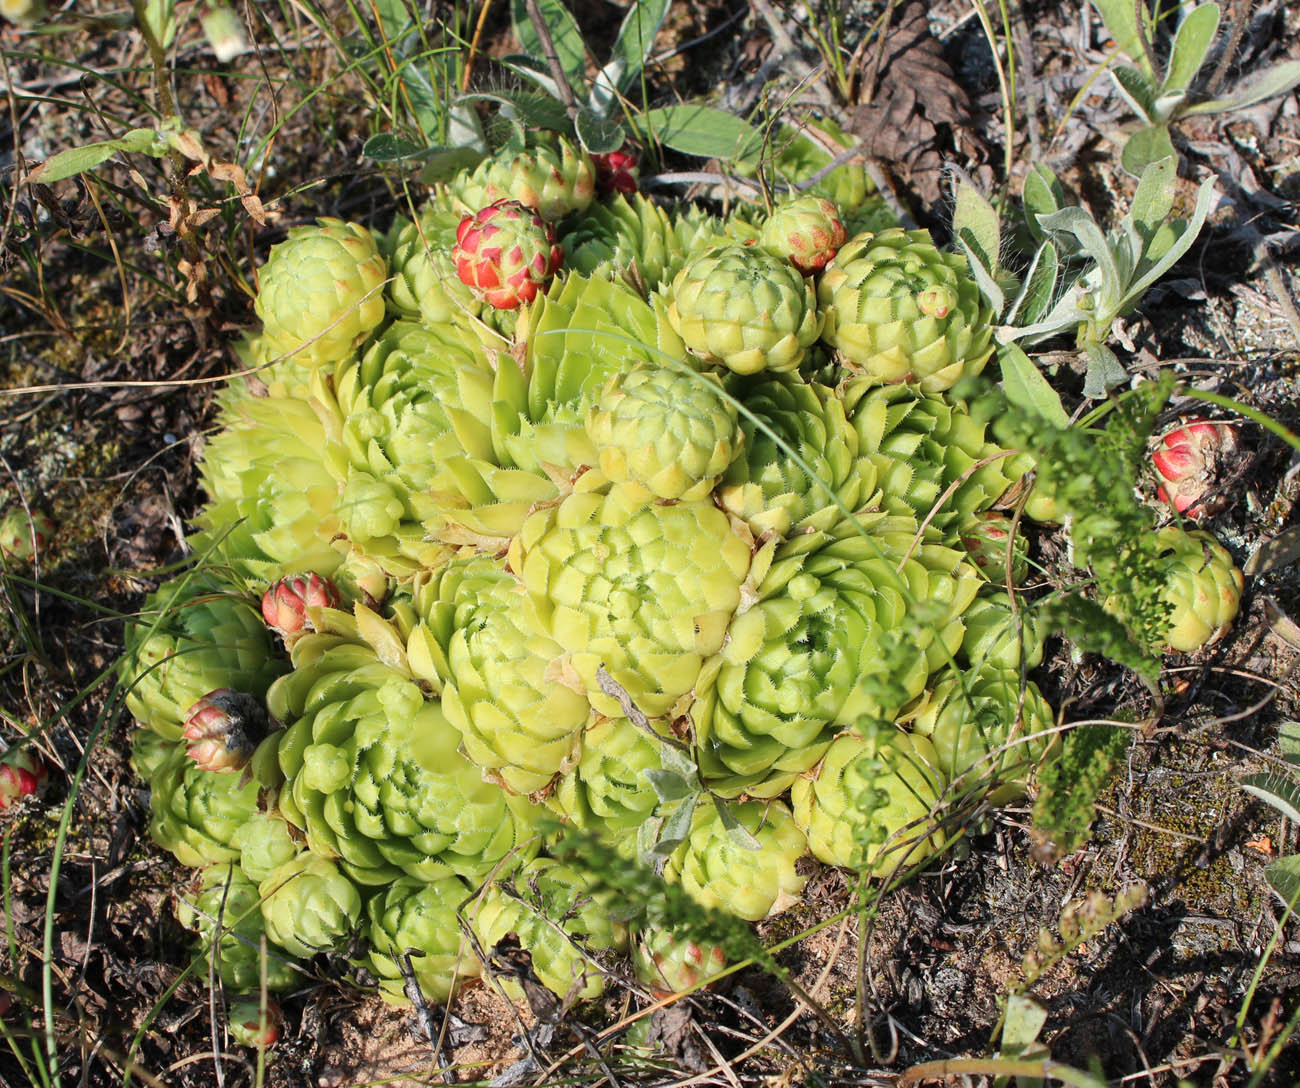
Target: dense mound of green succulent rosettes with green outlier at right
692, 539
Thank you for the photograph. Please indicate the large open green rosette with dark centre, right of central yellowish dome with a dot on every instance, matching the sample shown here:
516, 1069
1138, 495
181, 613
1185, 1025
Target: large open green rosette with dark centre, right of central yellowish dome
794, 670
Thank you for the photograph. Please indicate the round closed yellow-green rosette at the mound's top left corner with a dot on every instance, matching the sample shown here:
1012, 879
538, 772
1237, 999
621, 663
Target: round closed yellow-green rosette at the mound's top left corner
320, 293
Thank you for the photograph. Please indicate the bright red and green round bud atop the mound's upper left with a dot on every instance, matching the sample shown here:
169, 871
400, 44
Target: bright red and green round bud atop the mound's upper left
506, 254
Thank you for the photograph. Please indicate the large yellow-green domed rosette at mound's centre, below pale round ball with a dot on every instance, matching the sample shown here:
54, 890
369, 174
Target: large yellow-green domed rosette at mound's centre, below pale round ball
645, 592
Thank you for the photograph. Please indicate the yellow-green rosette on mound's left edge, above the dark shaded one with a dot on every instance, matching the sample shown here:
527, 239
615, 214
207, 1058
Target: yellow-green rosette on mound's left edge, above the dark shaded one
271, 512
